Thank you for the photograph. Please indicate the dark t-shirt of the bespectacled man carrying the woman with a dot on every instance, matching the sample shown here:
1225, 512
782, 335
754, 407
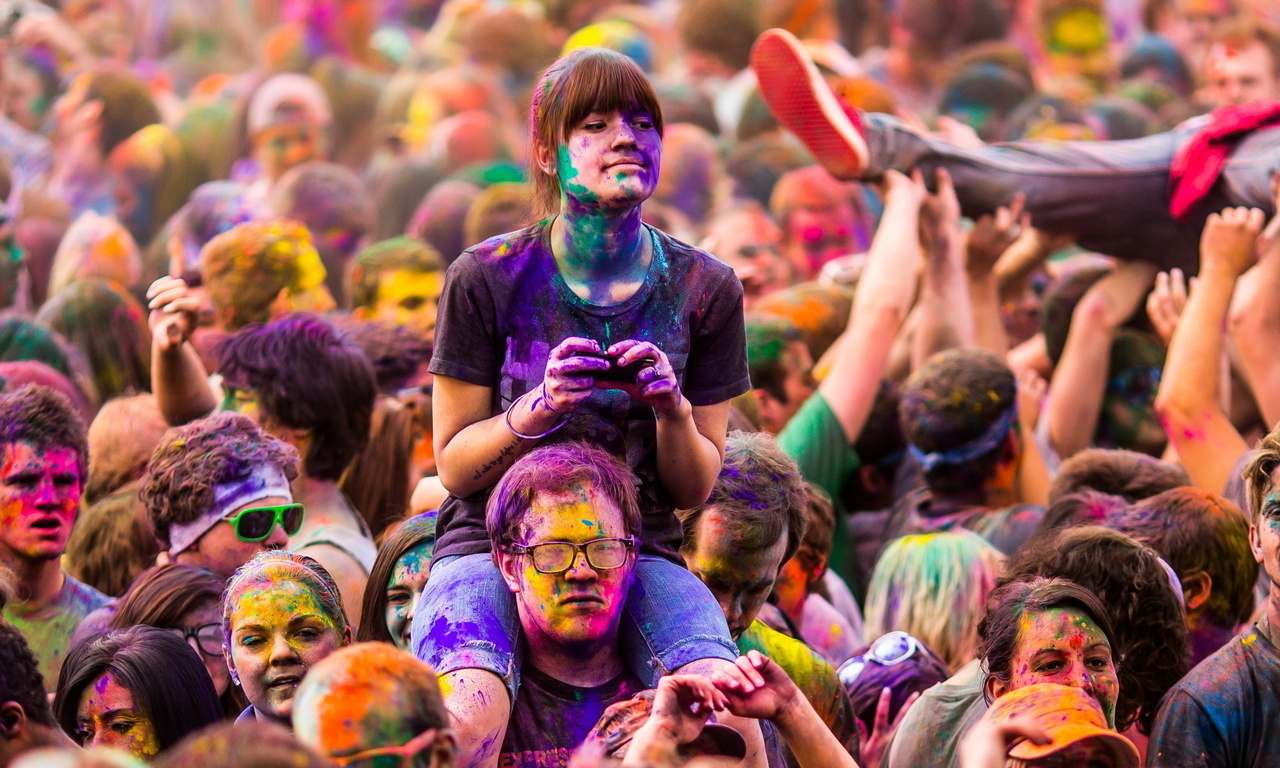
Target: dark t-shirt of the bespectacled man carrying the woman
551, 719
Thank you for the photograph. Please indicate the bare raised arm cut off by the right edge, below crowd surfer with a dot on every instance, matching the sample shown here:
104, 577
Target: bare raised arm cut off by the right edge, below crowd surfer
1255, 324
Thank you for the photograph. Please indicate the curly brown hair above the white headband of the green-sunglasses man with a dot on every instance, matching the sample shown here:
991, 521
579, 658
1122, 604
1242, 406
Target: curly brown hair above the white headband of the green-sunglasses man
191, 460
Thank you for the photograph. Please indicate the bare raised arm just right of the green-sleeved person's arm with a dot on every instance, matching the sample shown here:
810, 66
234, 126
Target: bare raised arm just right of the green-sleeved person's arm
947, 314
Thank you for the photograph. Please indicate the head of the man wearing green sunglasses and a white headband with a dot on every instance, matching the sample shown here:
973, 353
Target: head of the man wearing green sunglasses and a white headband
218, 492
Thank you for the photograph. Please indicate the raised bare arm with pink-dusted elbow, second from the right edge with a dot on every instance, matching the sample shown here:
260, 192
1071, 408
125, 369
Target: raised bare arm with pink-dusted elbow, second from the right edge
1188, 401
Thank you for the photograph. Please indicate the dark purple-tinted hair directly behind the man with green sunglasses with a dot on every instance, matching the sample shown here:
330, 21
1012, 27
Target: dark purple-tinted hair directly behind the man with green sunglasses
307, 376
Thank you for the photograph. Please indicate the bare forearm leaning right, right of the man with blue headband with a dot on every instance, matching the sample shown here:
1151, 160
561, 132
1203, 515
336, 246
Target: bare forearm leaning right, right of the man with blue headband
1081, 378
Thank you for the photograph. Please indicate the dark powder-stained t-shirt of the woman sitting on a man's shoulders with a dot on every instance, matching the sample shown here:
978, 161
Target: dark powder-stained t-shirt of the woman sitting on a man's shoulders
506, 307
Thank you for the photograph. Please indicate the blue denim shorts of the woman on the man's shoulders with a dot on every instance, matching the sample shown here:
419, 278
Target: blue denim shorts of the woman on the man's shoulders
467, 620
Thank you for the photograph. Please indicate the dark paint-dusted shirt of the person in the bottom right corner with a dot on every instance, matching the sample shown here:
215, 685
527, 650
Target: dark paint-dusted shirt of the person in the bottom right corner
1224, 714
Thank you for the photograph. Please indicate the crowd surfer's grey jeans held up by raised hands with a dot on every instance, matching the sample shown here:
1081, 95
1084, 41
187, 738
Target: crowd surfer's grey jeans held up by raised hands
1113, 196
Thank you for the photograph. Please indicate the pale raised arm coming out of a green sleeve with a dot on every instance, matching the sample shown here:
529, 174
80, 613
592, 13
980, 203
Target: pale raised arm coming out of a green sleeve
881, 304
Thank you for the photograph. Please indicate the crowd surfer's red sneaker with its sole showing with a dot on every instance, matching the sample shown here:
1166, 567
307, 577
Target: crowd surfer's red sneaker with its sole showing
806, 104
